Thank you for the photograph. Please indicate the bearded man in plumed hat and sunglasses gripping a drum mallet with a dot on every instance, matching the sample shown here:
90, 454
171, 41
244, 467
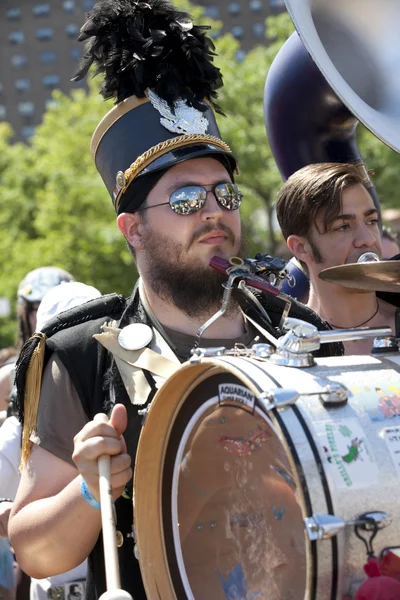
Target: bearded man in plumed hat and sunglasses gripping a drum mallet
160, 149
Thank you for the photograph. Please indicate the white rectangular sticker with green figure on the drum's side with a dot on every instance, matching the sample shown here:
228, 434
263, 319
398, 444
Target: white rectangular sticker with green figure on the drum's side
347, 454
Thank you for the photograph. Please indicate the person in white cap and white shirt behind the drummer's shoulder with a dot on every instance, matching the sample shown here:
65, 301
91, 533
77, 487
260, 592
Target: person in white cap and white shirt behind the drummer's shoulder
58, 299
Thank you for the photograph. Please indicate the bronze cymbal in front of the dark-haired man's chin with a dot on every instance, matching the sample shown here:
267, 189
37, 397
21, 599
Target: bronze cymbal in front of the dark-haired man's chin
383, 276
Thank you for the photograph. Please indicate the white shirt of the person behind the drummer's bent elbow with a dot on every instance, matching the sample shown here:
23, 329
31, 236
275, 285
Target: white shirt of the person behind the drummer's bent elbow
10, 457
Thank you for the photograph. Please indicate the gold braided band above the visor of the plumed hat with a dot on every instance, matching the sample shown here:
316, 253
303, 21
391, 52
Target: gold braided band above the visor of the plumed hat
162, 148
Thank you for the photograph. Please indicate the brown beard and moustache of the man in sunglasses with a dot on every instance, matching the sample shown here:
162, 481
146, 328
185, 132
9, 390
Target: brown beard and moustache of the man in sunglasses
191, 286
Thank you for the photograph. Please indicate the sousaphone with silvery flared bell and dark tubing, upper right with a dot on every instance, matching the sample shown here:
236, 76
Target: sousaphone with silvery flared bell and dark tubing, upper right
341, 67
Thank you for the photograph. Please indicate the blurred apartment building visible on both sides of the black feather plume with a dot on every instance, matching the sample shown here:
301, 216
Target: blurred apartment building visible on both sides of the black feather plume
39, 51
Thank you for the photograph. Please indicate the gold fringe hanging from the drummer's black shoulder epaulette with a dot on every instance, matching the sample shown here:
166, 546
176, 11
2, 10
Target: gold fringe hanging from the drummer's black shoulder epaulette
32, 395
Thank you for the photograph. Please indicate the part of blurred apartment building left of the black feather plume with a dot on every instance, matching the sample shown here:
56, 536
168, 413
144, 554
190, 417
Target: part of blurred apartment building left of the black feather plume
38, 53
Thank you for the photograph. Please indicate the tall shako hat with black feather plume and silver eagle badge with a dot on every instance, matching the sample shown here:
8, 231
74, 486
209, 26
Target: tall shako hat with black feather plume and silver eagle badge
159, 68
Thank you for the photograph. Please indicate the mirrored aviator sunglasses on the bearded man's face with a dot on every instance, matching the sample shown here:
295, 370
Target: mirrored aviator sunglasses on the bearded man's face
191, 198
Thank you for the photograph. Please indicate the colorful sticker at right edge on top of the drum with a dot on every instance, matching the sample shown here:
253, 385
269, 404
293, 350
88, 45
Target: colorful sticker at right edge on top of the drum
381, 402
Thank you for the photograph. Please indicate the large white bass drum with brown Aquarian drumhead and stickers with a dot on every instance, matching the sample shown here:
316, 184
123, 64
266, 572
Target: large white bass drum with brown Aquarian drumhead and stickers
227, 488
